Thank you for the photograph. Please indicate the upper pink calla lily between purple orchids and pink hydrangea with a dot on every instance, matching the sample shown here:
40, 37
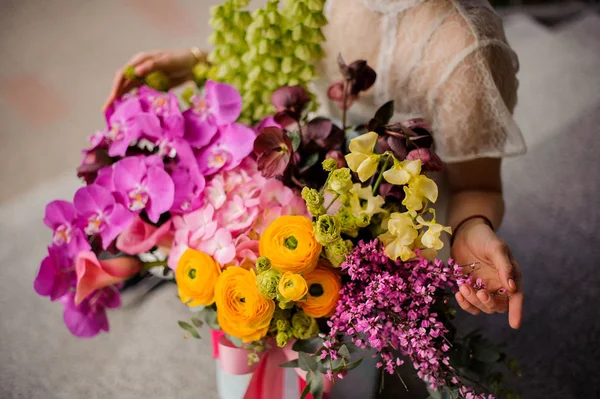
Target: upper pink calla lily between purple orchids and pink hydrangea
141, 237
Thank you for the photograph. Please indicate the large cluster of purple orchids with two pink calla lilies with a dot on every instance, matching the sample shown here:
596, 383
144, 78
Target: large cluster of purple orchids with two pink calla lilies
152, 160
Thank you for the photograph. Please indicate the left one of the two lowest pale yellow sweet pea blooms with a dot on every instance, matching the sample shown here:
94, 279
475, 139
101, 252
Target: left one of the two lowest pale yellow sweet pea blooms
400, 239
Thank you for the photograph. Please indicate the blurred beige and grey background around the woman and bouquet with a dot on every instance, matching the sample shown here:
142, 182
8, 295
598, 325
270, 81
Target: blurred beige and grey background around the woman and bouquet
57, 61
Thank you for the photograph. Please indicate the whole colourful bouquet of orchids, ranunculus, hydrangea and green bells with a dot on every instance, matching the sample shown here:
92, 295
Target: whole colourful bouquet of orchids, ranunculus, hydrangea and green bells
298, 241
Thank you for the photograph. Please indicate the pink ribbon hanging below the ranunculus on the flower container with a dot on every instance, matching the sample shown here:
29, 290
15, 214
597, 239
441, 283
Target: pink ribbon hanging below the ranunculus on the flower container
267, 378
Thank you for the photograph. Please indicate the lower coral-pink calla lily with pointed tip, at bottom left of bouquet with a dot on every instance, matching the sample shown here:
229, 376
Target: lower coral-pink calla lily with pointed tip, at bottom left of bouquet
93, 274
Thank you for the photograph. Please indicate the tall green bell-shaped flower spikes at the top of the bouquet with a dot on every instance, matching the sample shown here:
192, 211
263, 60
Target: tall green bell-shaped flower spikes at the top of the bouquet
260, 52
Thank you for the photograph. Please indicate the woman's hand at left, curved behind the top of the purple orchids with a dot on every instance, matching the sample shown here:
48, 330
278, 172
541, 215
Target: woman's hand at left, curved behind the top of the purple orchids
177, 65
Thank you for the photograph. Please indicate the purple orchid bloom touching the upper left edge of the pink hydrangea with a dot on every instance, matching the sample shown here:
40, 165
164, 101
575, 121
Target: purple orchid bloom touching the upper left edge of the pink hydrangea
189, 185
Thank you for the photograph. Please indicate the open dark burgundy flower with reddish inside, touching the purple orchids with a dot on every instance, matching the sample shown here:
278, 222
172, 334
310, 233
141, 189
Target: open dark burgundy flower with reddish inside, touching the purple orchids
273, 149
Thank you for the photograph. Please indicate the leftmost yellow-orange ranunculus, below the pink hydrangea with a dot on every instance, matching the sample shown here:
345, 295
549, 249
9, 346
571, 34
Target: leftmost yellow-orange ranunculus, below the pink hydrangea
196, 276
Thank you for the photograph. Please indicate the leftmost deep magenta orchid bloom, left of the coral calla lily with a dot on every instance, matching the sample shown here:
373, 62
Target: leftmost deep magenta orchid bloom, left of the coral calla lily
56, 275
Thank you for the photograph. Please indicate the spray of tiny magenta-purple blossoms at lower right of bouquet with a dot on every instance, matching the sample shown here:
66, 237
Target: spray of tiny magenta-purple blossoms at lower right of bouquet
390, 306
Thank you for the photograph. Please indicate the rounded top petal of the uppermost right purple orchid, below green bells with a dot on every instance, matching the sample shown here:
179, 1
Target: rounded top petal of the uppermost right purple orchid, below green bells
225, 102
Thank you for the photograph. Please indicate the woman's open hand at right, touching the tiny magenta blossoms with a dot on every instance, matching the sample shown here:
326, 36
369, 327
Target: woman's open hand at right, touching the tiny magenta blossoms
476, 244
